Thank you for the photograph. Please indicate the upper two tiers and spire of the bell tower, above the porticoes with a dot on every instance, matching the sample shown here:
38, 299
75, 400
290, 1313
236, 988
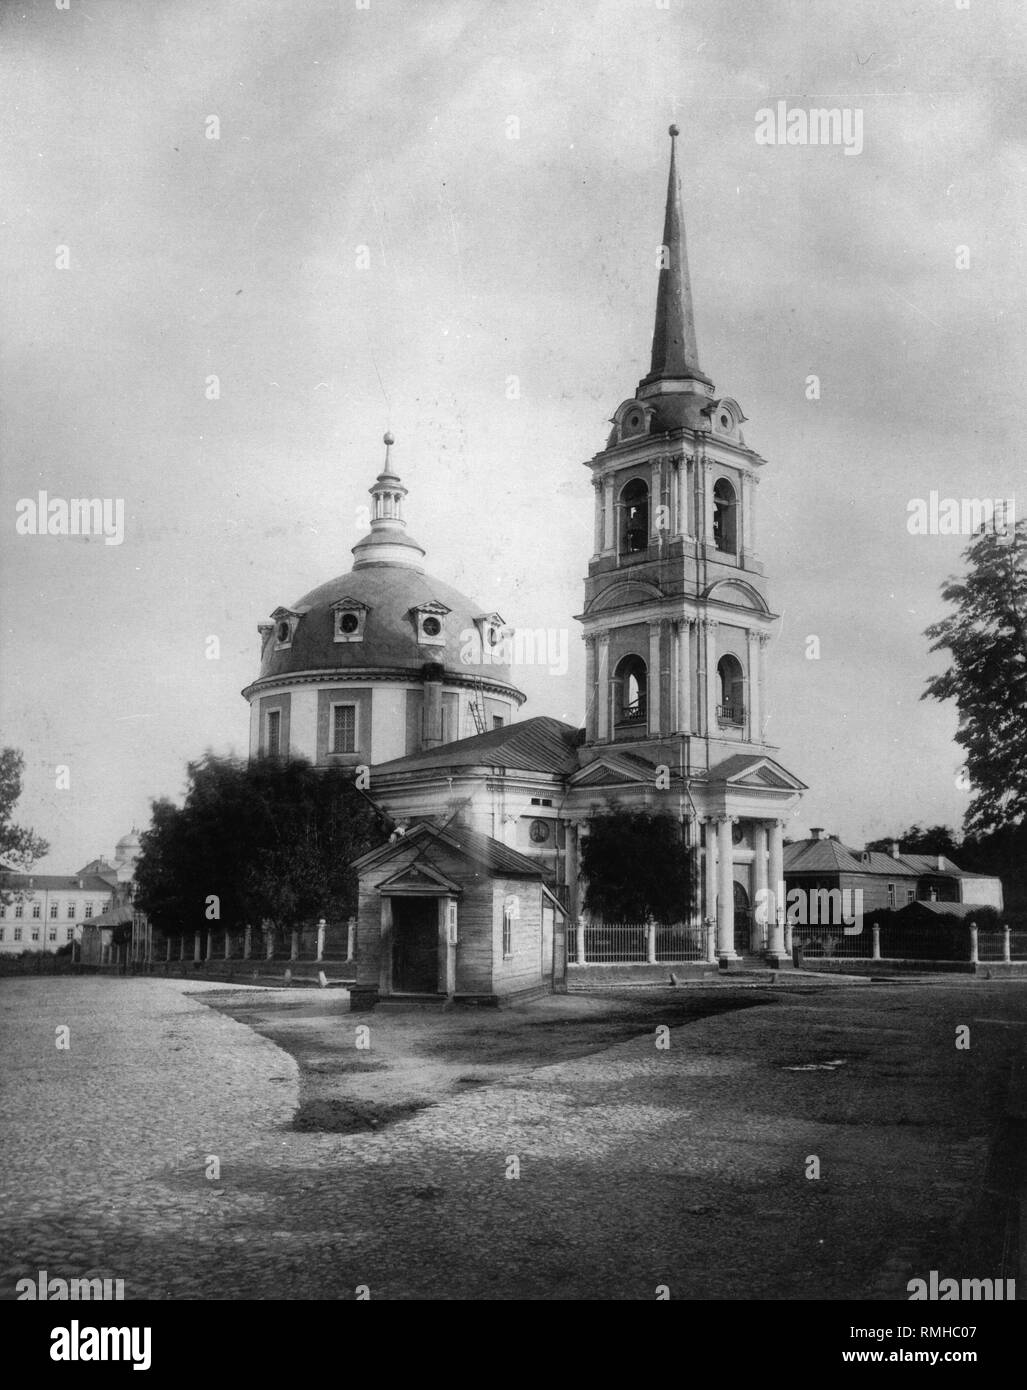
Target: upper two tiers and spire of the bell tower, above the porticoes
676, 614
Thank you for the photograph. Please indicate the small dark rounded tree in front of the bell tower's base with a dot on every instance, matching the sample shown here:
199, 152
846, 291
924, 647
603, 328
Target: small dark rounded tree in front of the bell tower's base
637, 867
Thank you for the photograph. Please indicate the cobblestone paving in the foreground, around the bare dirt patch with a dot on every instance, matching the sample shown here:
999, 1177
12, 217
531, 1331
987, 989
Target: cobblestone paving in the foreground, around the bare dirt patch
639, 1167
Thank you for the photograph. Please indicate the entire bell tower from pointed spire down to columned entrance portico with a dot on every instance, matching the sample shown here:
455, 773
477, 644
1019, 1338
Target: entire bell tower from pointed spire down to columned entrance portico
676, 629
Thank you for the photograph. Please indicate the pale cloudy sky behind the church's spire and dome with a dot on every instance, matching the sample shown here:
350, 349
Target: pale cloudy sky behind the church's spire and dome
366, 218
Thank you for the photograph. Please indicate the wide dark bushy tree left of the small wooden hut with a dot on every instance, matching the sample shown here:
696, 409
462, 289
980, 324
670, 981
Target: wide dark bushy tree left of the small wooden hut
268, 840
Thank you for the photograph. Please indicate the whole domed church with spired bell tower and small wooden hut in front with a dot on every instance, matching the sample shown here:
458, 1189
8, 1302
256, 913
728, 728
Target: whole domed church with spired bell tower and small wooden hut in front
404, 679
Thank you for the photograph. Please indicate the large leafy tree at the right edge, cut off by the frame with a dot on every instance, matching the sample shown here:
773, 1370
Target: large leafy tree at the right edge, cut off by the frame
987, 679
